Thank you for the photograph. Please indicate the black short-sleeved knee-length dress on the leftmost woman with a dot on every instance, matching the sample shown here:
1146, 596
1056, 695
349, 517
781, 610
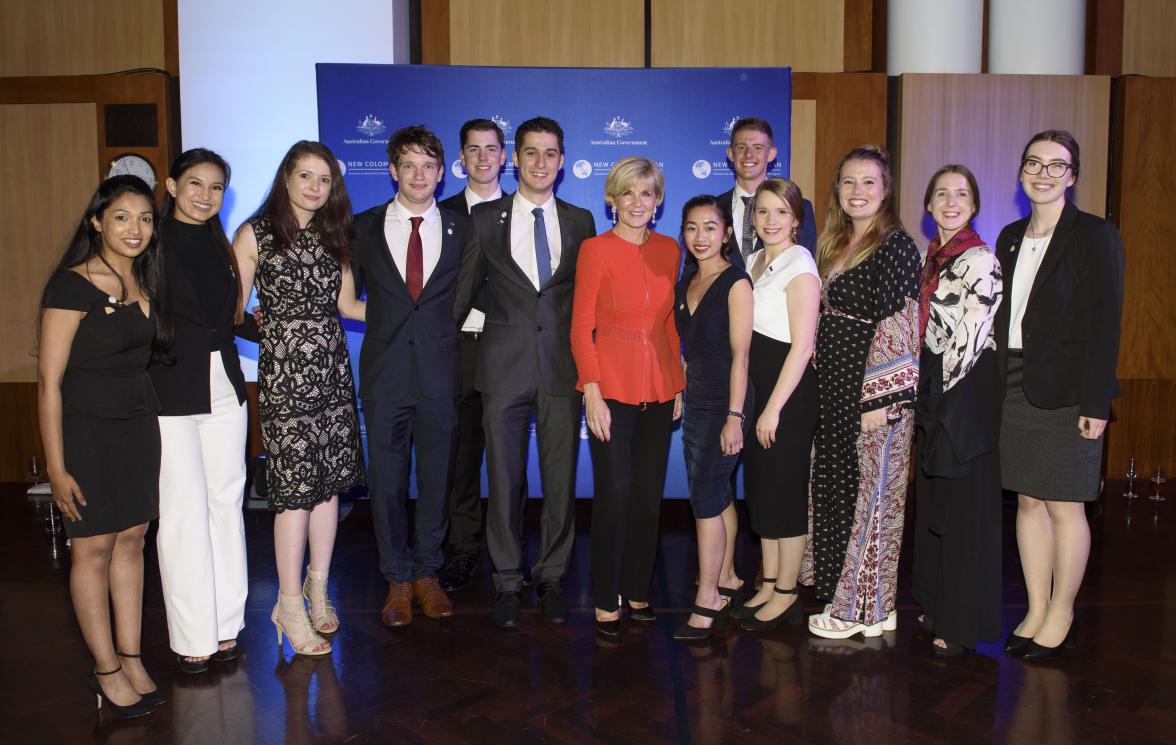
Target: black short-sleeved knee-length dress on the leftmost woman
110, 429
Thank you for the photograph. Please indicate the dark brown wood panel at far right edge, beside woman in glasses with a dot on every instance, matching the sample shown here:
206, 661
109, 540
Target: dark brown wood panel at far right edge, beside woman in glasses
1145, 419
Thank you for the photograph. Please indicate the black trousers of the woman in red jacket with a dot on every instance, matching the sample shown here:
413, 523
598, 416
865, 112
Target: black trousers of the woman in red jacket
630, 478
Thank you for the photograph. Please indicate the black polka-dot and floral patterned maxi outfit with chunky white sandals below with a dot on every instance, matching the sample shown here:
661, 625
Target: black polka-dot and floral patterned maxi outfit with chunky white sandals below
867, 359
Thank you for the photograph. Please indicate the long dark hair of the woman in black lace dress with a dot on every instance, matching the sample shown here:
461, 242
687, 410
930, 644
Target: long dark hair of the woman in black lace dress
333, 220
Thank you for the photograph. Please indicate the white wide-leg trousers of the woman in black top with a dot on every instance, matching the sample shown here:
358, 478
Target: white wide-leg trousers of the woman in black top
202, 529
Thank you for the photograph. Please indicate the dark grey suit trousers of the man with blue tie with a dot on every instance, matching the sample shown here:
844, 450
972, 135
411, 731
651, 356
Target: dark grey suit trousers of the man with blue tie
506, 422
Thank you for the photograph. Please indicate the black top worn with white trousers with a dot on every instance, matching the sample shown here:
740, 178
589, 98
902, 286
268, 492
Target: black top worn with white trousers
183, 387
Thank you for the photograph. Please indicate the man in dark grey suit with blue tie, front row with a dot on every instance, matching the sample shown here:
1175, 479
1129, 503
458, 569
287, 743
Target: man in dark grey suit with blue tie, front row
526, 259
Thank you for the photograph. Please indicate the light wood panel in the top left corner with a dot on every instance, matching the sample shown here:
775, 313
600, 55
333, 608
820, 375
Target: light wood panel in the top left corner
85, 38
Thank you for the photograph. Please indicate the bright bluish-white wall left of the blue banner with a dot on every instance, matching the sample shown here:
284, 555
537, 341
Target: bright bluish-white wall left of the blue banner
248, 86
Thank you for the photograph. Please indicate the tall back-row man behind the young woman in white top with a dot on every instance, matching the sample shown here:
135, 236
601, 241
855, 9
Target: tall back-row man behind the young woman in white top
752, 151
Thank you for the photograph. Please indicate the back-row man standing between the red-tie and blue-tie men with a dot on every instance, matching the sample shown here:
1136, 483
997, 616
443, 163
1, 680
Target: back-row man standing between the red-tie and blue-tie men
483, 156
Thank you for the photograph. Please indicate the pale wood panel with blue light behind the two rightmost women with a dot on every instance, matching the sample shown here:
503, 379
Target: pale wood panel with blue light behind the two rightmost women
984, 123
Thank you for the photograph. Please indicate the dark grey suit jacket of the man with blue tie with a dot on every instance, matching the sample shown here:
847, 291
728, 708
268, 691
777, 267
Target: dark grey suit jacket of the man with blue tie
526, 341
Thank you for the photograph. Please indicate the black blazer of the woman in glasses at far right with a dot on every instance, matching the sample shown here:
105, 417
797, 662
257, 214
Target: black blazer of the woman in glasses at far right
1072, 323
